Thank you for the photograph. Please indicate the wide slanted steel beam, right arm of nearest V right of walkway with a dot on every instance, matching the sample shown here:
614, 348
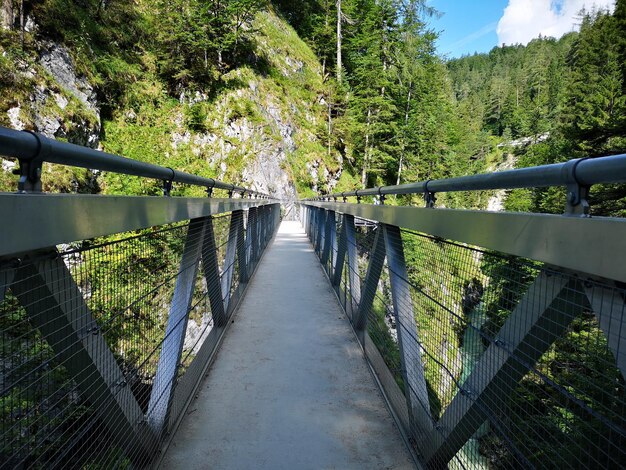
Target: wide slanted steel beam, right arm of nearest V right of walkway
541, 316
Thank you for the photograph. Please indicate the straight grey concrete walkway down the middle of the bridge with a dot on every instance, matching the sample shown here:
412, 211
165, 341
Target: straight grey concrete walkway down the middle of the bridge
290, 388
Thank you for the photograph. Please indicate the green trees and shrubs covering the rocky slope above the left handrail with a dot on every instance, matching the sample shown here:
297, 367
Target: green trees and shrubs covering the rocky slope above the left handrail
201, 86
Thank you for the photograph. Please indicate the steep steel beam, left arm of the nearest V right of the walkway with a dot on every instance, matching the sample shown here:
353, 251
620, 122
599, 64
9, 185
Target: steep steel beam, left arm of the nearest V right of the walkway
410, 357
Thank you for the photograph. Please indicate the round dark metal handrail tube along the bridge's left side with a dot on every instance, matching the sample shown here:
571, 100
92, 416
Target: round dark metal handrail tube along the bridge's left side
32, 149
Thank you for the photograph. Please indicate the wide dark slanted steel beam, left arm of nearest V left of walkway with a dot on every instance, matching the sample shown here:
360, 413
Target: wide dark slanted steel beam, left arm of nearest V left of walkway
55, 306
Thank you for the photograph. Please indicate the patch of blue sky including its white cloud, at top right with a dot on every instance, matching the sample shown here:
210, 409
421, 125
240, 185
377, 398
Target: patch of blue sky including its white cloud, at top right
468, 26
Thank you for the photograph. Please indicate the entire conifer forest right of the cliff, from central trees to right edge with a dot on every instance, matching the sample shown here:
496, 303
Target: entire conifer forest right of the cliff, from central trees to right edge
403, 114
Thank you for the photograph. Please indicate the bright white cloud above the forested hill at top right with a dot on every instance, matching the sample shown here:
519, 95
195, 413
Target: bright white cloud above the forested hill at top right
524, 20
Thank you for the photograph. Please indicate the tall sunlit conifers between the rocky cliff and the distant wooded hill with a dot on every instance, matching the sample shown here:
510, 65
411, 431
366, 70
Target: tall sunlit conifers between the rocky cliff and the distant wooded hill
391, 114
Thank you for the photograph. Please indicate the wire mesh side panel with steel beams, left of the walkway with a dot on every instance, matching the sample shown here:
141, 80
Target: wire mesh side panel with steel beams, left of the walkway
102, 342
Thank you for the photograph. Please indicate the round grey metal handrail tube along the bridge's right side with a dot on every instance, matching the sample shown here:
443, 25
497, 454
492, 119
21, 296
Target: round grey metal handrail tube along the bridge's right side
581, 172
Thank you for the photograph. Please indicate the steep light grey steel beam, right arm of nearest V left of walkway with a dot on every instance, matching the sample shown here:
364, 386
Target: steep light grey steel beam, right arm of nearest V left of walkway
172, 348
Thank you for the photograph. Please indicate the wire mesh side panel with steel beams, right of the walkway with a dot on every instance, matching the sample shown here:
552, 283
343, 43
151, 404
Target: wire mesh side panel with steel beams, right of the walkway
522, 364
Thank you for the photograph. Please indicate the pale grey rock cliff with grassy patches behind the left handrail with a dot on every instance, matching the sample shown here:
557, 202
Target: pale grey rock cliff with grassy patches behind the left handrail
260, 131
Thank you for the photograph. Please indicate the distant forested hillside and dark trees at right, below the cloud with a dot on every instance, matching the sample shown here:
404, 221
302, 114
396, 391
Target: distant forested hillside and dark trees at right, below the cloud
570, 93
